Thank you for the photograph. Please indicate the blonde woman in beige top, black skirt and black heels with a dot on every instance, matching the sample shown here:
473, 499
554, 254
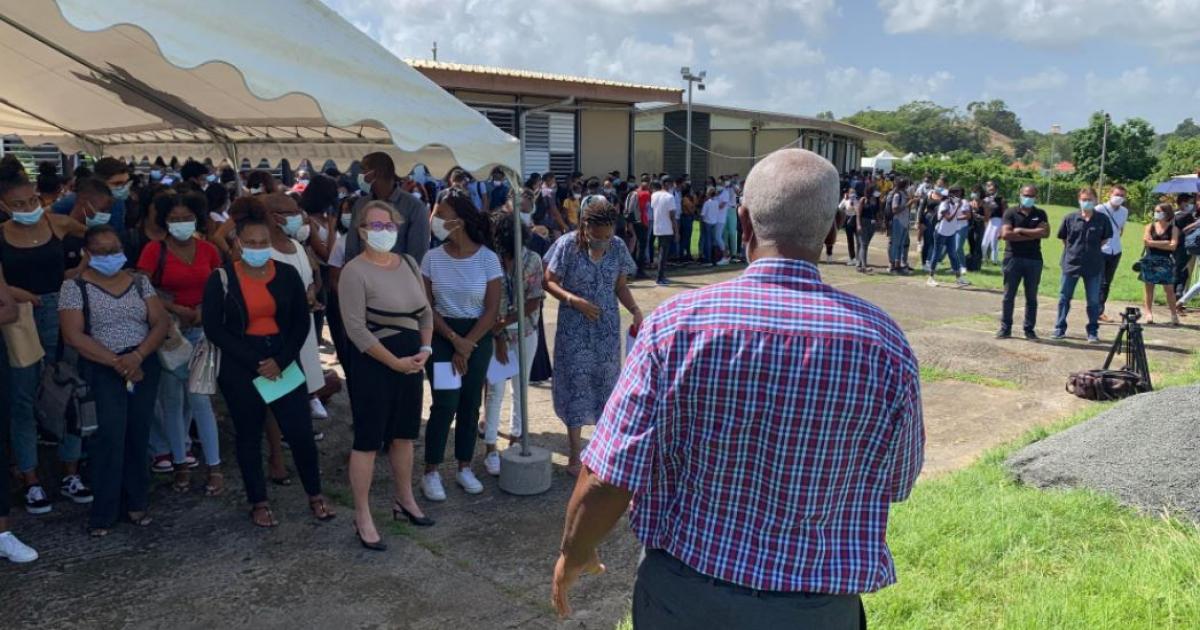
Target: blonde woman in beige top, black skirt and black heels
388, 319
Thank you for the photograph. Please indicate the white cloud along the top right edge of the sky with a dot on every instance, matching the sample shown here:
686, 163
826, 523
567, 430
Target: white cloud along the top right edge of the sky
1162, 25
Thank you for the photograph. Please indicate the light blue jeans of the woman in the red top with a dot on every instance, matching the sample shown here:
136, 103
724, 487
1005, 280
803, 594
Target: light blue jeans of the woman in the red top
178, 410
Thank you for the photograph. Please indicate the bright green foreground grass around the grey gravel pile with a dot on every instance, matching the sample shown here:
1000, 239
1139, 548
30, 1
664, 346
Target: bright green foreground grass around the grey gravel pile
975, 549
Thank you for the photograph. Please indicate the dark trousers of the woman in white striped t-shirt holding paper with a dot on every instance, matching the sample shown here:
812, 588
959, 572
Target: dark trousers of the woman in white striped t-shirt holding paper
459, 406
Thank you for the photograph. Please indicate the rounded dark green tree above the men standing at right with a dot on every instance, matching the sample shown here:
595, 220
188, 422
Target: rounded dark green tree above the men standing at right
1129, 151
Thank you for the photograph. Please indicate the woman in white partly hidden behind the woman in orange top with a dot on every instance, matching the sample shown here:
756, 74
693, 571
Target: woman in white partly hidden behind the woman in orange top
289, 221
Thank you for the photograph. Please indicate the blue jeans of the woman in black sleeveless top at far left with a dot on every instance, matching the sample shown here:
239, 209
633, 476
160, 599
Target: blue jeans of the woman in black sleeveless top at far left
23, 387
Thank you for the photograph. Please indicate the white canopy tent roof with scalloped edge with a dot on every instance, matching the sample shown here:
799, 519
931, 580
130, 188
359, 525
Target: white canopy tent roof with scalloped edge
227, 80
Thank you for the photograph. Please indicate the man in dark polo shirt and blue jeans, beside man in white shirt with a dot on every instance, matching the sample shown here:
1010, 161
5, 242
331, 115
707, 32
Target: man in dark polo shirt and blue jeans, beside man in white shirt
1083, 235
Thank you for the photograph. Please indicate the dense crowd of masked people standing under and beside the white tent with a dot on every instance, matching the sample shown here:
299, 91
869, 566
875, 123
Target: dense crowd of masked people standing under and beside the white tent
165, 291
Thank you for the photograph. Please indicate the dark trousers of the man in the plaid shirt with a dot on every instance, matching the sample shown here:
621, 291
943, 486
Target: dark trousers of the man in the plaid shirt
670, 596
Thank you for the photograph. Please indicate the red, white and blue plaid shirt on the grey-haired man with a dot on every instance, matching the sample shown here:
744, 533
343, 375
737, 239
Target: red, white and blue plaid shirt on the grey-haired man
765, 425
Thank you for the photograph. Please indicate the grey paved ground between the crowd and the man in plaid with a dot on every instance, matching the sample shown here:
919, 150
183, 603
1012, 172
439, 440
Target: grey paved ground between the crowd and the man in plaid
489, 561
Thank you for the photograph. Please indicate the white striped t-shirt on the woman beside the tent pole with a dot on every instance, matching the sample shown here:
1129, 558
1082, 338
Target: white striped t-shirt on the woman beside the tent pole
460, 285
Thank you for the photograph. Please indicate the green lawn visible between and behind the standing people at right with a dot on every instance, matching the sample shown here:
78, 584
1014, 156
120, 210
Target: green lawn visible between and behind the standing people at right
1126, 286
